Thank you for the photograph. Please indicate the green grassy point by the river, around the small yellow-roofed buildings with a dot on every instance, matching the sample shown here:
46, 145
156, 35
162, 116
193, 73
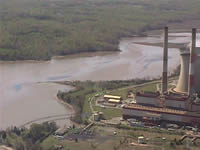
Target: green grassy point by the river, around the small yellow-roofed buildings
84, 91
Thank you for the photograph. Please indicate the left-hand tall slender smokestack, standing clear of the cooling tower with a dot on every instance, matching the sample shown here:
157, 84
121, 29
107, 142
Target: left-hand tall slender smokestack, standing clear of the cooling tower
165, 60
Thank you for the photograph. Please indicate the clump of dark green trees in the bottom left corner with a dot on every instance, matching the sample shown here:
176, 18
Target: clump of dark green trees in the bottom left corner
27, 139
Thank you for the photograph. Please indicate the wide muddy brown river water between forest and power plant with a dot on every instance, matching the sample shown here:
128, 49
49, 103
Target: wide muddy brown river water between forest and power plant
24, 99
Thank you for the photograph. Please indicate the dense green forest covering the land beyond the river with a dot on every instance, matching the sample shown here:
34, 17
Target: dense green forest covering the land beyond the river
40, 29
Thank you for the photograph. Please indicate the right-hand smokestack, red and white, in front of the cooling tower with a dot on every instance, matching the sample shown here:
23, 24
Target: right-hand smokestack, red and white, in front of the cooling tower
192, 64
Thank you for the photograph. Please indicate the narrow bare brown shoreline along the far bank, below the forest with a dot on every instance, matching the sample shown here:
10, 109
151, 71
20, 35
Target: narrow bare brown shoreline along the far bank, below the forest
176, 27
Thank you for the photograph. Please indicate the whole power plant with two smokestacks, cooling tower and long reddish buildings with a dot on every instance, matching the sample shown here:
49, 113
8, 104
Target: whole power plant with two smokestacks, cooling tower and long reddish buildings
179, 105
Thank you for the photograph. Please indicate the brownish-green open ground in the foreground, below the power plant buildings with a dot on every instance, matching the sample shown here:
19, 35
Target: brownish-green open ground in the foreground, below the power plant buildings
104, 139
